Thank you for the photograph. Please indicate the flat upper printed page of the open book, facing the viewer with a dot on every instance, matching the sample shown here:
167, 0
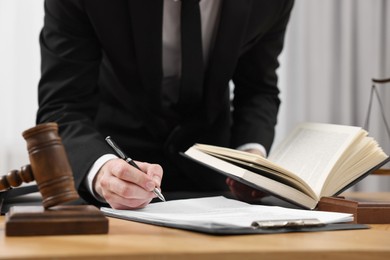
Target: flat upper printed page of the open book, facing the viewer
313, 149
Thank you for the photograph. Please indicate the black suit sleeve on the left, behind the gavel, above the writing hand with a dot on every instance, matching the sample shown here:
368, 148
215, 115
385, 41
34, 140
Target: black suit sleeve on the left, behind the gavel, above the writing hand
68, 93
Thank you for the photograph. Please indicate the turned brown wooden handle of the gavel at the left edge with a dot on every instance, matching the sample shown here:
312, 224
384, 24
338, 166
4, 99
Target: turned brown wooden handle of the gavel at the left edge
16, 177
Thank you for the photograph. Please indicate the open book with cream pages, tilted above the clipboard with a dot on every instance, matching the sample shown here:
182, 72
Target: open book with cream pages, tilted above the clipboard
314, 161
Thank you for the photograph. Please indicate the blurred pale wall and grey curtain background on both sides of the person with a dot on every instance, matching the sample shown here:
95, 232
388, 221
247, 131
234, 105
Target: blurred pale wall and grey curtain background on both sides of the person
332, 51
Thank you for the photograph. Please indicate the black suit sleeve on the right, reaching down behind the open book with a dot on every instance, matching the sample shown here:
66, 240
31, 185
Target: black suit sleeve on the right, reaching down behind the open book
256, 101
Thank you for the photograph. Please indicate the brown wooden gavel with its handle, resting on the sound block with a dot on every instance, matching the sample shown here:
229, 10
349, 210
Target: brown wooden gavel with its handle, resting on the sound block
49, 167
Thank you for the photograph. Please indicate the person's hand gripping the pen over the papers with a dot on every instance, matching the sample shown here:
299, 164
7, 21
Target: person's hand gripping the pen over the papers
125, 187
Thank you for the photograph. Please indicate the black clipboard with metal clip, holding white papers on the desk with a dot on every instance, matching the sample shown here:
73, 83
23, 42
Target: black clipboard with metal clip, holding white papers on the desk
233, 217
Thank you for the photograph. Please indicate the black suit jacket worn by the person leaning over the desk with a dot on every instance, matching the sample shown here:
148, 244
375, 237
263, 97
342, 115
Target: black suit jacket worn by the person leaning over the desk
101, 75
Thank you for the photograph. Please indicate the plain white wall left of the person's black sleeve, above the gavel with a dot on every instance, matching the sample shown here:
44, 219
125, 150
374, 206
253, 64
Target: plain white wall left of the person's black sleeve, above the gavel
20, 23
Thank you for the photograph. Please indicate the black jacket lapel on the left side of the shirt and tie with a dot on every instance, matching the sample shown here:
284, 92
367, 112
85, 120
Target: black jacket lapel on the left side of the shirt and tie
146, 18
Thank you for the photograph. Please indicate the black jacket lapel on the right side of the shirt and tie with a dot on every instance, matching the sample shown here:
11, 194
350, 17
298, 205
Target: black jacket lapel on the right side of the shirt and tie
233, 21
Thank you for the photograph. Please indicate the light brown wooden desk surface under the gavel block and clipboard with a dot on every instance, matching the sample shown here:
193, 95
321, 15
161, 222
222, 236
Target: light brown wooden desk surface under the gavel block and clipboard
140, 241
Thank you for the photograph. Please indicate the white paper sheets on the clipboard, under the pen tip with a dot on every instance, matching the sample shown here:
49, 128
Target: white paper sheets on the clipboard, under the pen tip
219, 212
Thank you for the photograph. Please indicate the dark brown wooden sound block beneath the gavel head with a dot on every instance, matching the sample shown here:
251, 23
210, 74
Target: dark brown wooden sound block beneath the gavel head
58, 220
